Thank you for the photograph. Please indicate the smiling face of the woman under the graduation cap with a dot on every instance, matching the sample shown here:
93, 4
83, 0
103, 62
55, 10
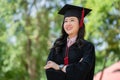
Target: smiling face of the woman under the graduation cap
71, 26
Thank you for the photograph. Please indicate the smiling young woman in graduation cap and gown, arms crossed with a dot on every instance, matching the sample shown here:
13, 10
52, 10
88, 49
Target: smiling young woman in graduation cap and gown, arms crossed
71, 57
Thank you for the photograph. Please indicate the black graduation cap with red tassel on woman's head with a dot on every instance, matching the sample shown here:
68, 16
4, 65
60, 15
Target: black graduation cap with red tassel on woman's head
77, 11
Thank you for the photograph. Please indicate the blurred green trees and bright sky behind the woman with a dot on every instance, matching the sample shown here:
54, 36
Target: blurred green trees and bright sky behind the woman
28, 29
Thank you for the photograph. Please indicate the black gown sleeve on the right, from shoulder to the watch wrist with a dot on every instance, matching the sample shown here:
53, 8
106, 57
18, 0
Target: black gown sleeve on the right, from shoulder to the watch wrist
85, 67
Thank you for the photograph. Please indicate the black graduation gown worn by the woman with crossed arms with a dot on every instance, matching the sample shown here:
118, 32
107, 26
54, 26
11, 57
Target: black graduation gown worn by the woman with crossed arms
81, 63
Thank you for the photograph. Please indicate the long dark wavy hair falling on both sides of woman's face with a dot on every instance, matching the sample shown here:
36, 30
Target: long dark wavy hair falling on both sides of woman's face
61, 41
